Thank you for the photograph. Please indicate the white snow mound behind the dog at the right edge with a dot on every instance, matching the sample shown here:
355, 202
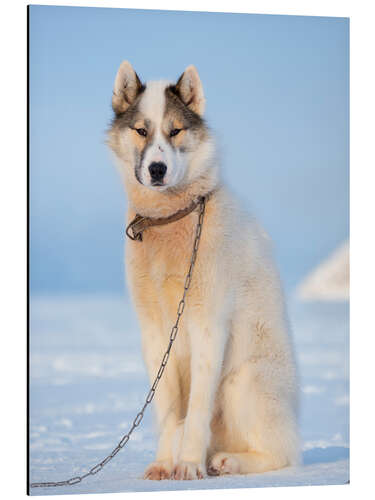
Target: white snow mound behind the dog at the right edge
330, 280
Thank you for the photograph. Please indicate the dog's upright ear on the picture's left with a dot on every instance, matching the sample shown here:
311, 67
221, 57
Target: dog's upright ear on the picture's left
126, 88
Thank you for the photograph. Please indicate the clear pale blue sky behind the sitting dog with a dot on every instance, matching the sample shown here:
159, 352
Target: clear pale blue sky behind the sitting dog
277, 90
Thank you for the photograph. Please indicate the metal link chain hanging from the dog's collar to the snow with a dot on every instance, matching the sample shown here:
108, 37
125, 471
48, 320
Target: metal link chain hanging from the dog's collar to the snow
180, 309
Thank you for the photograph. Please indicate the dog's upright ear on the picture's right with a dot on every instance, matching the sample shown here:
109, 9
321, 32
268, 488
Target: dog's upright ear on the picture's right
190, 90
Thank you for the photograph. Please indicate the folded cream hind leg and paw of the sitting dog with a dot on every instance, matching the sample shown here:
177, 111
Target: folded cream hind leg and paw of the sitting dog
258, 432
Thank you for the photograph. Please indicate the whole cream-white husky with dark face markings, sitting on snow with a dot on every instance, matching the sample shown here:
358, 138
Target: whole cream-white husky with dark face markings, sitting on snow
227, 402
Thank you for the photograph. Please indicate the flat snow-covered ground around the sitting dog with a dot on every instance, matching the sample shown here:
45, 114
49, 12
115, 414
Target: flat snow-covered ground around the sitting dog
87, 382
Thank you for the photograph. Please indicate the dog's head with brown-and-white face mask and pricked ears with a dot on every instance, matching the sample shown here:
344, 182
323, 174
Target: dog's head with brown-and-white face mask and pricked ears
158, 132
